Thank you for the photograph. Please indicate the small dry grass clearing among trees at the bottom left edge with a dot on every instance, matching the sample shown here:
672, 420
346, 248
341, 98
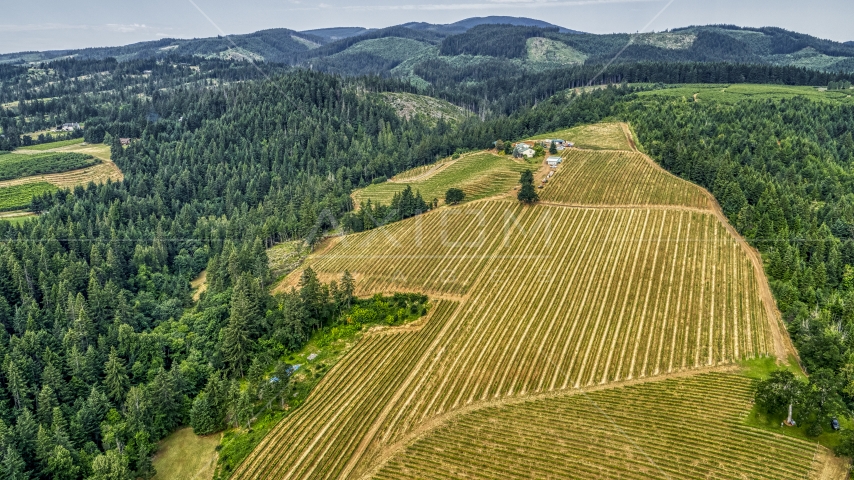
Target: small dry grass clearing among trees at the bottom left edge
185, 455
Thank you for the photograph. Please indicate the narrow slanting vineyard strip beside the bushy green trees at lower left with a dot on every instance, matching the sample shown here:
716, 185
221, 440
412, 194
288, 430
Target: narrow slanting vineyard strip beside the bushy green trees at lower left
318, 439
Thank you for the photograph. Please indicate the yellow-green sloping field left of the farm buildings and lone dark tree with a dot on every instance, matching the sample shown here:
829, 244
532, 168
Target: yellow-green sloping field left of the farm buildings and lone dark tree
479, 175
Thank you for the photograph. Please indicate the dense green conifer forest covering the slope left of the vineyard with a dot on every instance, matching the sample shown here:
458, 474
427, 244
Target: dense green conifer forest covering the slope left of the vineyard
103, 352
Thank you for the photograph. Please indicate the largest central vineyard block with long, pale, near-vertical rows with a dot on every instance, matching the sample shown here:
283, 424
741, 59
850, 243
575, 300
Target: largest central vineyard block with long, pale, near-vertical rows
628, 294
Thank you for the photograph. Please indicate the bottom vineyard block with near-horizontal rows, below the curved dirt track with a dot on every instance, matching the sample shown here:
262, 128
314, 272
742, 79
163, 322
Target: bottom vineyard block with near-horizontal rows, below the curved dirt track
679, 428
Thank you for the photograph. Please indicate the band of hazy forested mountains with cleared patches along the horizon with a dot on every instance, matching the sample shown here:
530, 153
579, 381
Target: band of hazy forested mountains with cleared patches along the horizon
465, 50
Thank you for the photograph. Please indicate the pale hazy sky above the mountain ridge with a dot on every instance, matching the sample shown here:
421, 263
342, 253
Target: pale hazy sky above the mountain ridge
54, 24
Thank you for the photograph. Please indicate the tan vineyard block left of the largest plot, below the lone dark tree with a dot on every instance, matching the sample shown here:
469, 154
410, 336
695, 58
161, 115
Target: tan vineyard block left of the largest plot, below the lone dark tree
440, 252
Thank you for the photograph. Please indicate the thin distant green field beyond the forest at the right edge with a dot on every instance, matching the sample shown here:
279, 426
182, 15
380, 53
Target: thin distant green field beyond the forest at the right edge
734, 93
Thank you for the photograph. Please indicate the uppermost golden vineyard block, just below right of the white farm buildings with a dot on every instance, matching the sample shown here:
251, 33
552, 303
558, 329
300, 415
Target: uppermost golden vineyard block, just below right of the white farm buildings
618, 178
